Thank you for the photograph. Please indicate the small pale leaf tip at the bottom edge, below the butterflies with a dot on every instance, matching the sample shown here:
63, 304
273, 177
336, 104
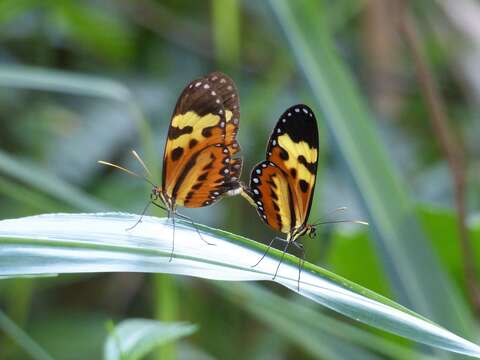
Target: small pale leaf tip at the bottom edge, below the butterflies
134, 338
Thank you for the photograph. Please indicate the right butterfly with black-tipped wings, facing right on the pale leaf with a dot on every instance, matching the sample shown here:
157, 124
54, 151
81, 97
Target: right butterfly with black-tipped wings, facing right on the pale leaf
281, 187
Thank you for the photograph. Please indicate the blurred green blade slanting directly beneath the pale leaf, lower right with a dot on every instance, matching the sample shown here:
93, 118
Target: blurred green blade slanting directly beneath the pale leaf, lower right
310, 329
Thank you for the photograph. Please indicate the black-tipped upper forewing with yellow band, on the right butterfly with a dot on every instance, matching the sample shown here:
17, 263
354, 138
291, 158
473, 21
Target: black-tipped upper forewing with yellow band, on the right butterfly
293, 148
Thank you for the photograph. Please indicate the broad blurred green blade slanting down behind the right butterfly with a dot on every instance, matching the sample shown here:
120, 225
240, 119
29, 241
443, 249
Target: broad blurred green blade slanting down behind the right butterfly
415, 272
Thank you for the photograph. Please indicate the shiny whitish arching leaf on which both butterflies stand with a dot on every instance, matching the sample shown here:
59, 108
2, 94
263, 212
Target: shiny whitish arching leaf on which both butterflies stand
81, 243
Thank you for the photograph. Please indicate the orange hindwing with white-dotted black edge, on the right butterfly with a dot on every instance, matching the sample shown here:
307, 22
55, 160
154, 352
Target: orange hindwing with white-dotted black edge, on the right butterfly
272, 196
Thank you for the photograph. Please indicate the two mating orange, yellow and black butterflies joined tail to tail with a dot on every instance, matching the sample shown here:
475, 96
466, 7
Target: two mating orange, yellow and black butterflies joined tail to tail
200, 164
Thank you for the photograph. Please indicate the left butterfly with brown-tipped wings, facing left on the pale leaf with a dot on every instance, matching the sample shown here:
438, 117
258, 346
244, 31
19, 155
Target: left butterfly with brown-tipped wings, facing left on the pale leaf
199, 166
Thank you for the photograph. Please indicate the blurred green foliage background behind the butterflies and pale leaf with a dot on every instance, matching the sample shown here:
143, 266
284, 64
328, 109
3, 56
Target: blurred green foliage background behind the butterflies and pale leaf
87, 80
